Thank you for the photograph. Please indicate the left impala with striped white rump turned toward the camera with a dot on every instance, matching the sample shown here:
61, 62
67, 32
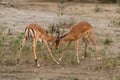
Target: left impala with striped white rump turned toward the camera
37, 33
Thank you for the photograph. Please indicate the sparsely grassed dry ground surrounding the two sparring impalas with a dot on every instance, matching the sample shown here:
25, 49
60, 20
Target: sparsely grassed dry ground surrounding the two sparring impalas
88, 69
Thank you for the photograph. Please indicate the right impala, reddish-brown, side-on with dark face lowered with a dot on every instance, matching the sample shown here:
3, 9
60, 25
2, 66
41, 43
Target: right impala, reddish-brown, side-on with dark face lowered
76, 32
